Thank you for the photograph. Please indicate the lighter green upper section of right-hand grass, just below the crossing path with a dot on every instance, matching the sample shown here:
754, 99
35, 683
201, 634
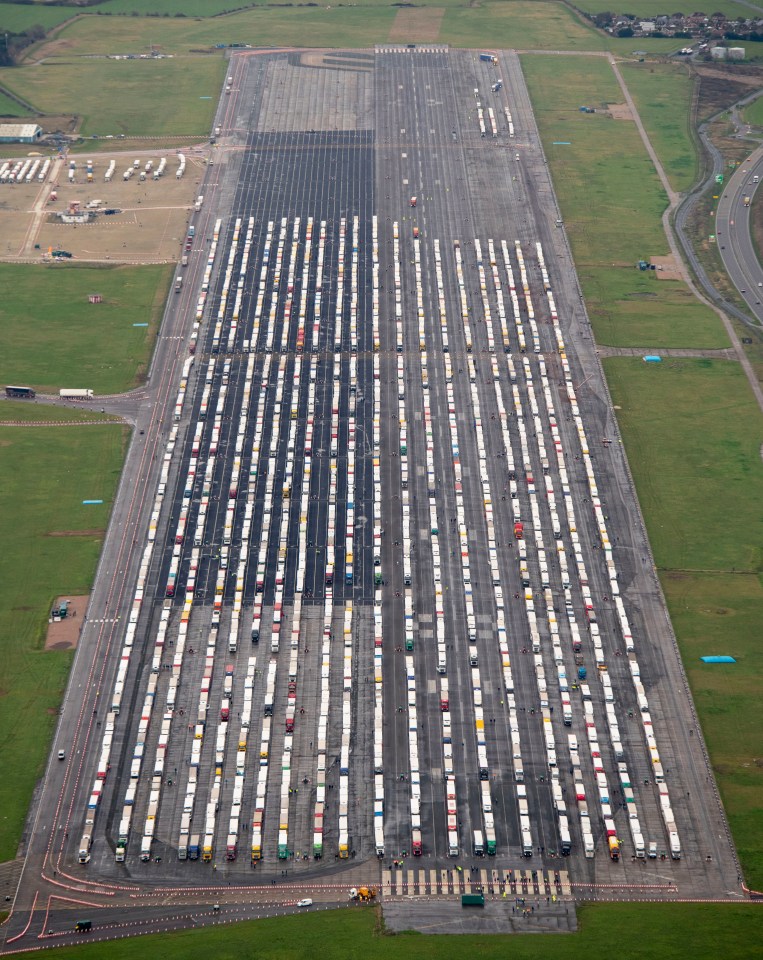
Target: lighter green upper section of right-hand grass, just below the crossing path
694, 437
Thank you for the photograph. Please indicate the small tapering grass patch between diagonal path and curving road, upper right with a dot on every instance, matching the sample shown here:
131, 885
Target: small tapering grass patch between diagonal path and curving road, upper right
663, 94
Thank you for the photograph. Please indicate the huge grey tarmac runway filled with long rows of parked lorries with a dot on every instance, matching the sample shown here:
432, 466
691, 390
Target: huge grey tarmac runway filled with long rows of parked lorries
313, 146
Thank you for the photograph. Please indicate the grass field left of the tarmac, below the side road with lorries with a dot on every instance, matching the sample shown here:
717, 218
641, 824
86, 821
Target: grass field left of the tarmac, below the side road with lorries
47, 472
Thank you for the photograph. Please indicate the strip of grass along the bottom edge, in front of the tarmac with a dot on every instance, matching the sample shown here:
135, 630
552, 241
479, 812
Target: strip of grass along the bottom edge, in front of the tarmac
652, 930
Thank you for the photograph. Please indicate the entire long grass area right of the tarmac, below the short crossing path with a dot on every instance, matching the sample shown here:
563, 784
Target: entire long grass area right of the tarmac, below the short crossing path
693, 435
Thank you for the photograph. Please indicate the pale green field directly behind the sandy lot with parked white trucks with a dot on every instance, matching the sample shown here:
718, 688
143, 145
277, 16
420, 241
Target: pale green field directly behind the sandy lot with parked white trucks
146, 97
